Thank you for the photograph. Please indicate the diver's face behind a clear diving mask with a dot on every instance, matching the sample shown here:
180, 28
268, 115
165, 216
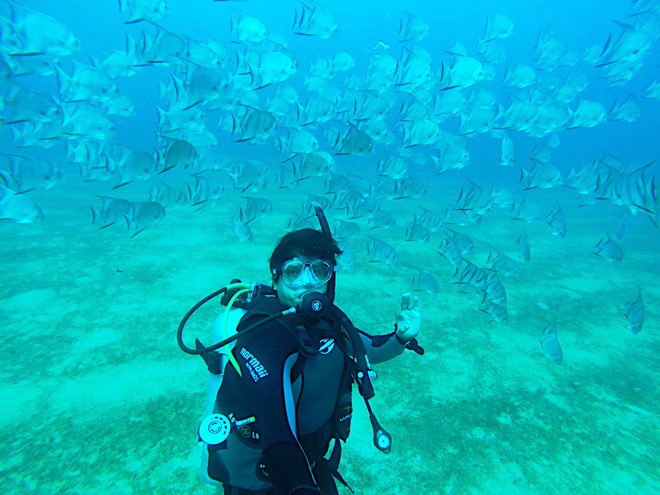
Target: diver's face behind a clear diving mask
300, 276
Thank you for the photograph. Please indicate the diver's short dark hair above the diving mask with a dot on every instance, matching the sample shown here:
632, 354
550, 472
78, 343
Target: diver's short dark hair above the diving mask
306, 243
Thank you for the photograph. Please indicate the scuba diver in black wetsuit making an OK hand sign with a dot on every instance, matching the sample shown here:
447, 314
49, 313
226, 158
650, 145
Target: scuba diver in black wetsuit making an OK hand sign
281, 386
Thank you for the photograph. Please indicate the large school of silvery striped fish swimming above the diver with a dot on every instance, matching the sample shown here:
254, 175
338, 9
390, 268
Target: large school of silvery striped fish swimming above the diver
403, 107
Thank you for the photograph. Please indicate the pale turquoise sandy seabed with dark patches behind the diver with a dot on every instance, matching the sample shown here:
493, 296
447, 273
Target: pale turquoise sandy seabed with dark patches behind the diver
97, 398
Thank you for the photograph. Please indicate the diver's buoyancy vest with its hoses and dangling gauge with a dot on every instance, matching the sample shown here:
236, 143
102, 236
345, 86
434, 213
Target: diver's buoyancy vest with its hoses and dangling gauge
262, 302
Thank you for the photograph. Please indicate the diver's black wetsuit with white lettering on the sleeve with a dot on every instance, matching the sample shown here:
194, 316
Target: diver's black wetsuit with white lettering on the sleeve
283, 406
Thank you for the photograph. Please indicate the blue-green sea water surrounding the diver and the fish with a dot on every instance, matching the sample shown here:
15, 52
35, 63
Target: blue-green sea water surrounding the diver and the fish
97, 396
